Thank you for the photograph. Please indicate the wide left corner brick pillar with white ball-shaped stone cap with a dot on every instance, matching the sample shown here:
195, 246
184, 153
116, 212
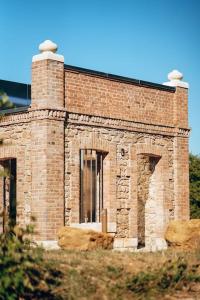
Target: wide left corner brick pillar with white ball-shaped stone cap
47, 128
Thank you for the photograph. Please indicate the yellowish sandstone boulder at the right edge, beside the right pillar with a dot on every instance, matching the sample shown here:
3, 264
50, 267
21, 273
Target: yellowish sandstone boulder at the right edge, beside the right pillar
183, 234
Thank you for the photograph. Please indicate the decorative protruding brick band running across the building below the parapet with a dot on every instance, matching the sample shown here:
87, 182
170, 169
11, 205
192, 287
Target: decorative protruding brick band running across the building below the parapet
88, 120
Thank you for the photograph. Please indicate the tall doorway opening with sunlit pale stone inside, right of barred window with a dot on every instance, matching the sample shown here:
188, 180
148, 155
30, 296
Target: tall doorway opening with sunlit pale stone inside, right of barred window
150, 204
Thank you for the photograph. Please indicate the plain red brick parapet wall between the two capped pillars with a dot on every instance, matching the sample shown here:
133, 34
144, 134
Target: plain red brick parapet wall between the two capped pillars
89, 94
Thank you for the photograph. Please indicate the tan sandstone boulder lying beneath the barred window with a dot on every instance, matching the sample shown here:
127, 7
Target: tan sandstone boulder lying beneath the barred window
82, 239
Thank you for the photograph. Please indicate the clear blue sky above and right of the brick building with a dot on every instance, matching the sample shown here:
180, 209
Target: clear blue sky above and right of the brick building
143, 39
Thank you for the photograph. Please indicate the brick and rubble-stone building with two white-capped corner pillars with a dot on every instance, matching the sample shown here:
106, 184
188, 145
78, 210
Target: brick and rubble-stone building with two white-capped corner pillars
93, 144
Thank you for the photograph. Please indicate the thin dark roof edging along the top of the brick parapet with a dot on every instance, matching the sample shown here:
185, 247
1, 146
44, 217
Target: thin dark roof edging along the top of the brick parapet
121, 78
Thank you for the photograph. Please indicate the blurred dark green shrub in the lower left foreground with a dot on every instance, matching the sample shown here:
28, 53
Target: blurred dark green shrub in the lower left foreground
23, 272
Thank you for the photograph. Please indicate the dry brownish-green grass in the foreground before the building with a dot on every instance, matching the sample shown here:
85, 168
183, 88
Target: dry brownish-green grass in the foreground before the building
99, 275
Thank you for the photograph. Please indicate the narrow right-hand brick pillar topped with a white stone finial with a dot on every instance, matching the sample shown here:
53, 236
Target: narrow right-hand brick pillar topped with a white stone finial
181, 152
